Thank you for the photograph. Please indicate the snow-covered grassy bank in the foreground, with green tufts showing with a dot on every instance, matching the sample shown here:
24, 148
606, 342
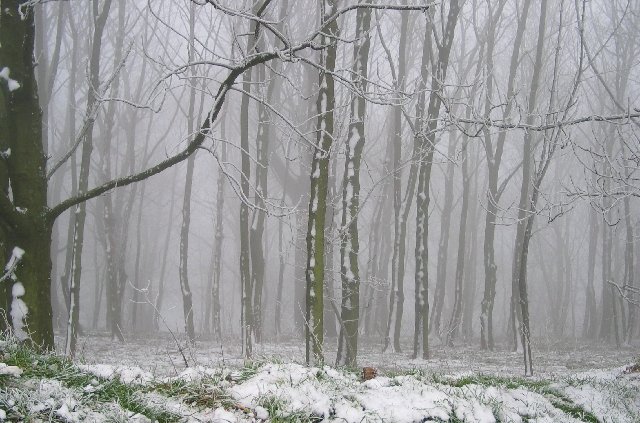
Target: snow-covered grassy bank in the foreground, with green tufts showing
49, 388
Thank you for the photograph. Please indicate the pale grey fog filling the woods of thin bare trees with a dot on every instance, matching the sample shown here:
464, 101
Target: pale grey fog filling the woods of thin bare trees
394, 176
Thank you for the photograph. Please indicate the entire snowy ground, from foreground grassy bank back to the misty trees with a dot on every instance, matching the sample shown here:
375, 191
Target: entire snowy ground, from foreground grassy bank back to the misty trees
159, 379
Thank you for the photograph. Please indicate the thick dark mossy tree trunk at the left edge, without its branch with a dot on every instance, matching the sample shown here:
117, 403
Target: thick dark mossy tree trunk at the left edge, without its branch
23, 211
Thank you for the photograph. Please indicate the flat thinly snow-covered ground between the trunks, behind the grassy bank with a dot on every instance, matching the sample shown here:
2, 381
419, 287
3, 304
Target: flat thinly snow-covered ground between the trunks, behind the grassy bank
161, 356
